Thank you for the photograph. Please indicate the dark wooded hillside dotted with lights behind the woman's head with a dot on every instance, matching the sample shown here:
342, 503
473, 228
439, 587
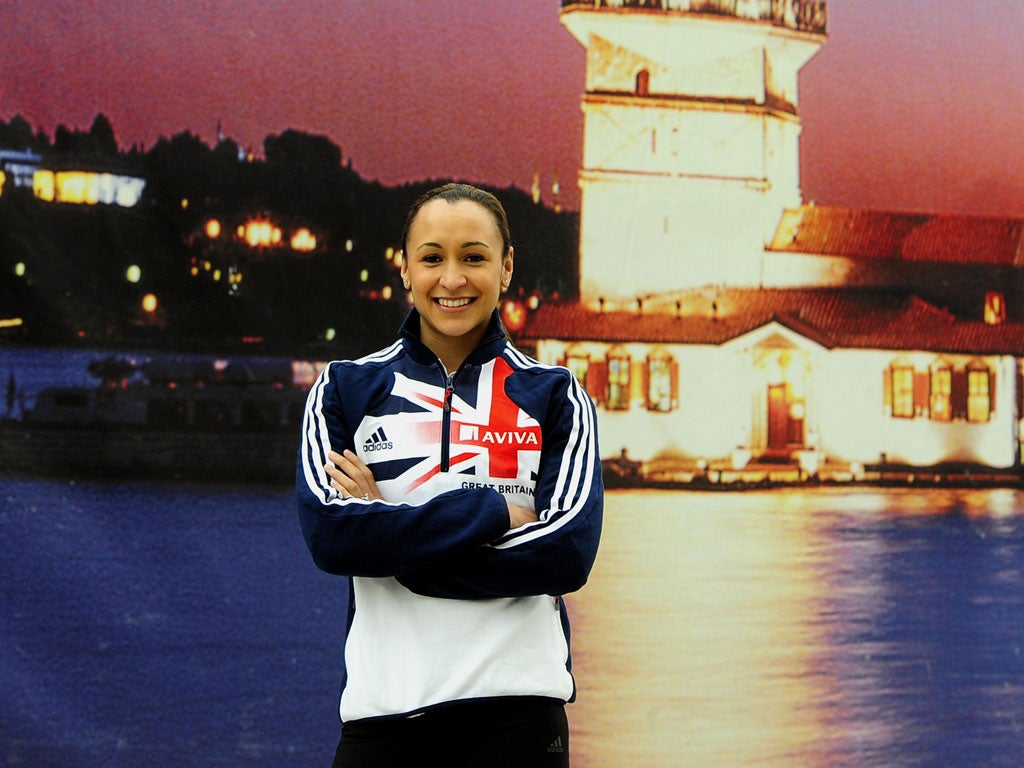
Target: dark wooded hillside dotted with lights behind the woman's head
63, 267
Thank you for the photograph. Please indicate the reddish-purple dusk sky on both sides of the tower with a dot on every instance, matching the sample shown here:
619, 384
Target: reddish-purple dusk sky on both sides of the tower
911, 106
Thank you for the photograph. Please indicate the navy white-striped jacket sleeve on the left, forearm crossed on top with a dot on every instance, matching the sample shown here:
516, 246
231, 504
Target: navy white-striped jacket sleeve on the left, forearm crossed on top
353, 537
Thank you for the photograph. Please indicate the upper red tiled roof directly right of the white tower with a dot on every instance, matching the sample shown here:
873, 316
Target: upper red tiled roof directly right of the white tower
879, 235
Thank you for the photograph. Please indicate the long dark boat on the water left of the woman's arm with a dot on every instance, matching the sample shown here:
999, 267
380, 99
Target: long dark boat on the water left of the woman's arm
178, 419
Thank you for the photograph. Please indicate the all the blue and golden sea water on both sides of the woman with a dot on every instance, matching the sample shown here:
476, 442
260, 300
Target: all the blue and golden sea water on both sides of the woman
181, 625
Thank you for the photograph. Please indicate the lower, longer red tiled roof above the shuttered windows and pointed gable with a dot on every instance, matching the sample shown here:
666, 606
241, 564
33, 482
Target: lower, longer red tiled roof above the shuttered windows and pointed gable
834, 318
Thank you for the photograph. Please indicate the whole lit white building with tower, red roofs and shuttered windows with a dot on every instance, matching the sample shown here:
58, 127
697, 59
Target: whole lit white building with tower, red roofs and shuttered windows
722, 321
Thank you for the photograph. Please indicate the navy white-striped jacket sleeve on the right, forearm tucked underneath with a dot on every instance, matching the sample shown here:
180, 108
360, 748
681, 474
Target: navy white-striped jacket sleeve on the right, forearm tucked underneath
554, 556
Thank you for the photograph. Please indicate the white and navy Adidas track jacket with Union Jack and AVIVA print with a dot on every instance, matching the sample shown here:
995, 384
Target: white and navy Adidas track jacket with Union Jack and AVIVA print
446, 603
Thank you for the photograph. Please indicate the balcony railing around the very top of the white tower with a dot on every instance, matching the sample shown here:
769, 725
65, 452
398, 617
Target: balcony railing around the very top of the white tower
804, 16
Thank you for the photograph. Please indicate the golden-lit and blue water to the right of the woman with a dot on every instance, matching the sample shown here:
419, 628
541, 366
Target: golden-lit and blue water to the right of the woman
824, 629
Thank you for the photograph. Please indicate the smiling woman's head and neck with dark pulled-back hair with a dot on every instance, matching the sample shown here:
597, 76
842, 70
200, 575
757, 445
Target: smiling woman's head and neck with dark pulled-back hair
456, 269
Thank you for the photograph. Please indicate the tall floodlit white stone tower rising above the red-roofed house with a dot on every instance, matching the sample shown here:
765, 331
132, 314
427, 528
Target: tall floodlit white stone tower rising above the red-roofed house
691, 139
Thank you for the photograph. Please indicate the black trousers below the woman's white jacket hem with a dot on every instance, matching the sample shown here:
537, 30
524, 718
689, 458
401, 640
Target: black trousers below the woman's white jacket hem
514, 733
